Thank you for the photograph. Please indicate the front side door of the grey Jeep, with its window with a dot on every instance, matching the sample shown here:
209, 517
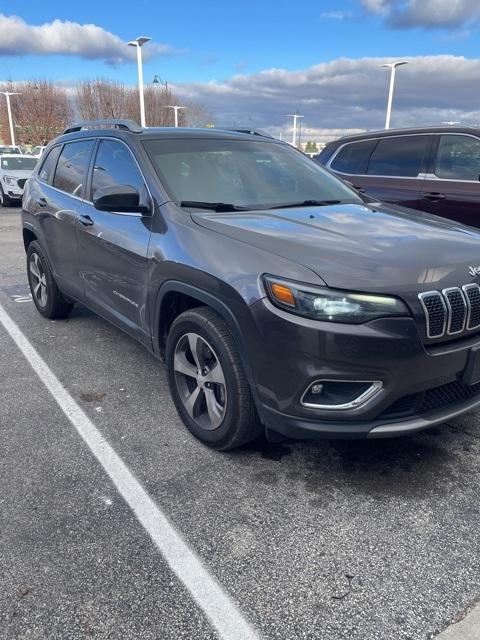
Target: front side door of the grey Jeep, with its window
113, 246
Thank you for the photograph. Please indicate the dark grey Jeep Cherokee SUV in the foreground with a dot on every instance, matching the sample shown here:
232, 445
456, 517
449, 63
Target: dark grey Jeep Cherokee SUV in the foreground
278, 298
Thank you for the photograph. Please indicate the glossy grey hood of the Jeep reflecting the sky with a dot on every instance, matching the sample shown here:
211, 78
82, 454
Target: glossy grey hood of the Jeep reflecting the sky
360, 247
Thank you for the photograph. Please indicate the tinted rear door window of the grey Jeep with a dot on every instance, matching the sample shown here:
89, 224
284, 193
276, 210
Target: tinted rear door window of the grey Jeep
72, 167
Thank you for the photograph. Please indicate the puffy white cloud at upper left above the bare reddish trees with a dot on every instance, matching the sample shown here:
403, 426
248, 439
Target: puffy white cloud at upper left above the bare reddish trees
67, 38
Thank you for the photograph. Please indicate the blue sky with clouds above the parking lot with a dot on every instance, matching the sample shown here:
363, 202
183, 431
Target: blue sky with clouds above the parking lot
251, 63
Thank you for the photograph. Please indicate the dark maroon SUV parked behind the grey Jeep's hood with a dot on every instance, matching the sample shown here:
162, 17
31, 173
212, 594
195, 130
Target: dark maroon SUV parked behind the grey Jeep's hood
434, 169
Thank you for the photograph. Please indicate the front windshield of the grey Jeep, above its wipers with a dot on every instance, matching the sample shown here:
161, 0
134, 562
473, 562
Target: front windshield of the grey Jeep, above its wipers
244, 173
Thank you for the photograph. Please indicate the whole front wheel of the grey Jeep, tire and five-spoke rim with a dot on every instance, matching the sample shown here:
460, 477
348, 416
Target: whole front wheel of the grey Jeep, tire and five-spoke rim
221, 414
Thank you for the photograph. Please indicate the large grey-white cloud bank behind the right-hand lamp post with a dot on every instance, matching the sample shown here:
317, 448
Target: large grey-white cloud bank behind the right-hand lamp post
344, 94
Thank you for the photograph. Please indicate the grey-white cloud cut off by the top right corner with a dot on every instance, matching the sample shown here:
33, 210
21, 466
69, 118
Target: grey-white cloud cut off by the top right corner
430, 14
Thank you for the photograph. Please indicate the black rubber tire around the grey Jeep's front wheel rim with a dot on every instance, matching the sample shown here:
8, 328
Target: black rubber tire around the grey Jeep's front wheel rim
240, 422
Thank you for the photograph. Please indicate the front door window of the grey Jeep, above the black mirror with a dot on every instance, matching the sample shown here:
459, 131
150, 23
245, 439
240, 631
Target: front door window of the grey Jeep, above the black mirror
115, 166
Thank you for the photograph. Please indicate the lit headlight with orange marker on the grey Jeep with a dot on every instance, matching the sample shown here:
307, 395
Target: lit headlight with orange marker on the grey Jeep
330, 305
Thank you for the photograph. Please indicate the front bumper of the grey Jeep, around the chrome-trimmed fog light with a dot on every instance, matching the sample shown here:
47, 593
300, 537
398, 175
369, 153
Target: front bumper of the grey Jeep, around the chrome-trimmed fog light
421, 384
